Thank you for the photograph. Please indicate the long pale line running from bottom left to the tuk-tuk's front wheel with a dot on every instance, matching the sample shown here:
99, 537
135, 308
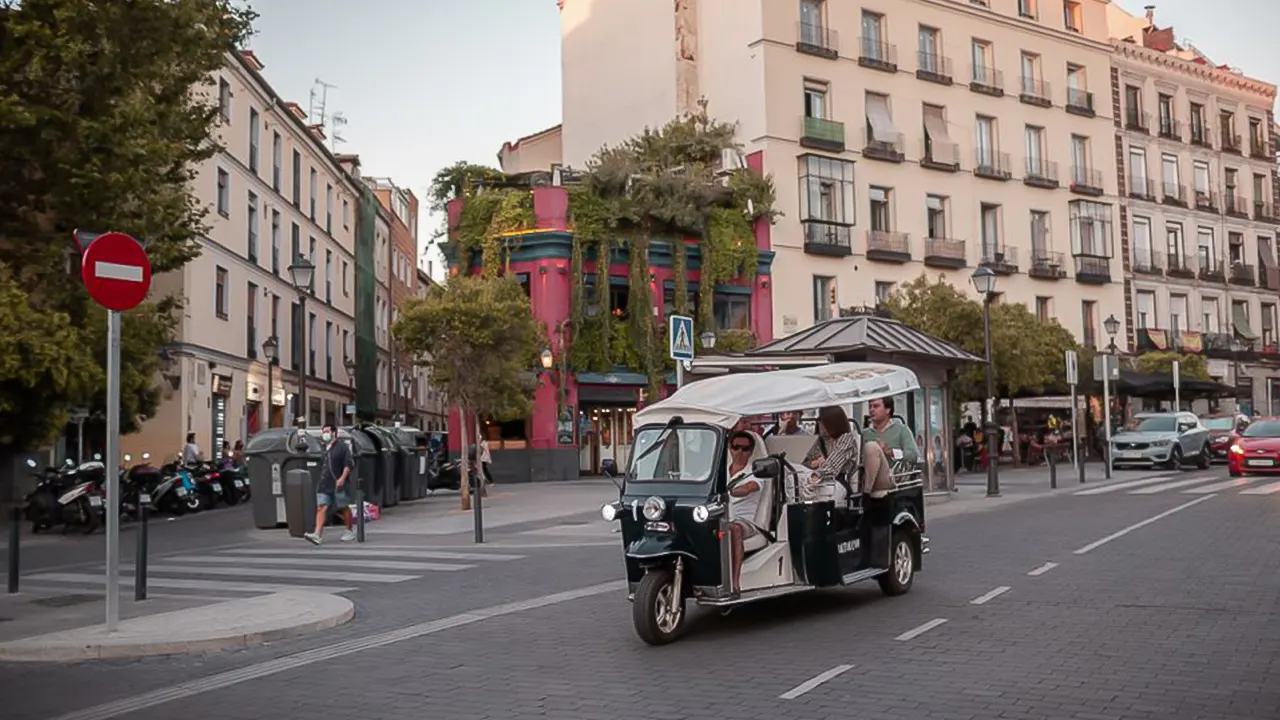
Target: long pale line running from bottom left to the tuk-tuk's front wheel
258, 671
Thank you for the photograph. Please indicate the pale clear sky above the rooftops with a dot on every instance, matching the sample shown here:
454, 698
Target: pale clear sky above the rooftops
424, 84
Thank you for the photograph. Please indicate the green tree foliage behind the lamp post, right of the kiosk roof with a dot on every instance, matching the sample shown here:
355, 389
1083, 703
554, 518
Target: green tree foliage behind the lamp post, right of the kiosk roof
1028, 356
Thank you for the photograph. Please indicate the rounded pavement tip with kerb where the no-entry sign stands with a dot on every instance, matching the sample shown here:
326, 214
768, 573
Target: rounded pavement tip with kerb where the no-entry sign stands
34, 625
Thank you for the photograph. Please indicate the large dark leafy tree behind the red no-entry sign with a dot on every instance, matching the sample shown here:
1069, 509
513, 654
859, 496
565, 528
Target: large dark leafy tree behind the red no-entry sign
102, 133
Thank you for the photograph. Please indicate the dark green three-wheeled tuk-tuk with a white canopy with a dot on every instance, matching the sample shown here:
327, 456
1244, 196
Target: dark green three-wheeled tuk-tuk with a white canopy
674, 503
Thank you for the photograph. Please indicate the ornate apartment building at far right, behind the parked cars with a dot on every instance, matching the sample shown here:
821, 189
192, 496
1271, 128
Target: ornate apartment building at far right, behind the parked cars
1196, 145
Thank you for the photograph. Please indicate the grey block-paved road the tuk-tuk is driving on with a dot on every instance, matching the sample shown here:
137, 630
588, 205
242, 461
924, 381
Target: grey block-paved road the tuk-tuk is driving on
1121, 605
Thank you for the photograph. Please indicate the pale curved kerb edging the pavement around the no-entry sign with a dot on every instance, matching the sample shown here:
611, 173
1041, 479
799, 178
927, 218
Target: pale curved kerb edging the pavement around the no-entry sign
42, 650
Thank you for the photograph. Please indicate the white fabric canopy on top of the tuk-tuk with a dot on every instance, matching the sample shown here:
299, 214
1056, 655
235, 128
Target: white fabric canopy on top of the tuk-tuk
723, 402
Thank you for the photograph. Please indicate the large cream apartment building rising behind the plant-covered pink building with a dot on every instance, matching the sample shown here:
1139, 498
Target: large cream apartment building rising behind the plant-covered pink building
903, 136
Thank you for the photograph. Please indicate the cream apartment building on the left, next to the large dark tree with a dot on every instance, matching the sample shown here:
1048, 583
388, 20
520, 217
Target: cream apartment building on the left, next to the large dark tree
275, 194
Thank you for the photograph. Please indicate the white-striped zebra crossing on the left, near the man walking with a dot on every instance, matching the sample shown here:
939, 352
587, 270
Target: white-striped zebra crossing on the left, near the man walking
250, 572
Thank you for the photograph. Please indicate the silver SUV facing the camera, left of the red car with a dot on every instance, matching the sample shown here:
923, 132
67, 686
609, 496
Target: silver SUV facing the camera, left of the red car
1162, 439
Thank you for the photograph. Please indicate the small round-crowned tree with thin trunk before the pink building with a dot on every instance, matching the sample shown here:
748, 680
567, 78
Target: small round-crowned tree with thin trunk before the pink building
482, 340
